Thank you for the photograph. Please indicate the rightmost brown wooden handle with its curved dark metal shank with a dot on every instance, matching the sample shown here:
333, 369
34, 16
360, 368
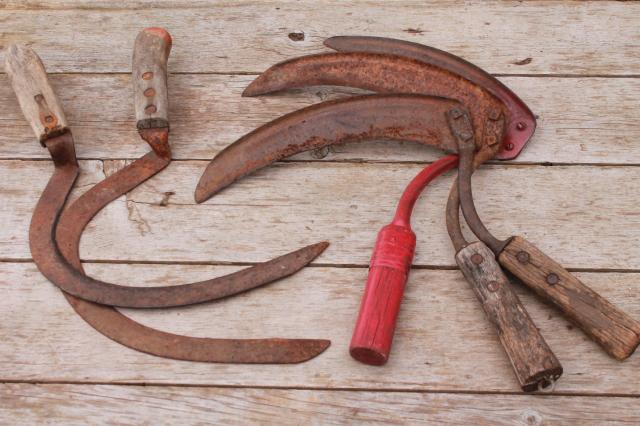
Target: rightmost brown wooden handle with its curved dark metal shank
616, 332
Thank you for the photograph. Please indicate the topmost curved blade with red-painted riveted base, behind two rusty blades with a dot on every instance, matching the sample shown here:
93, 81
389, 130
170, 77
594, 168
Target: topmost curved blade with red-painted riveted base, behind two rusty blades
521, 122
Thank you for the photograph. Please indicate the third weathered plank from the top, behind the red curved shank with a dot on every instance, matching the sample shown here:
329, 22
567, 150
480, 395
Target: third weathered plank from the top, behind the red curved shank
290, 205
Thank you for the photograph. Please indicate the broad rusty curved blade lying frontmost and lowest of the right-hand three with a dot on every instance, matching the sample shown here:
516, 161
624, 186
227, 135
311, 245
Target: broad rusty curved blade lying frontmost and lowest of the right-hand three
414, 118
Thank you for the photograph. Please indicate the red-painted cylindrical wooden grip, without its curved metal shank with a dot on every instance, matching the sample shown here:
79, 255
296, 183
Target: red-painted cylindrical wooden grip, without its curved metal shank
388, 272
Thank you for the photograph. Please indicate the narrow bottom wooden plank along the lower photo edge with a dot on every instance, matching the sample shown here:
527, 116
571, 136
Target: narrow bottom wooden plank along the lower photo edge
89, 405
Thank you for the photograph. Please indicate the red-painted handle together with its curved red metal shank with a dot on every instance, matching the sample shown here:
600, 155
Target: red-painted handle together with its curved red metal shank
388, 273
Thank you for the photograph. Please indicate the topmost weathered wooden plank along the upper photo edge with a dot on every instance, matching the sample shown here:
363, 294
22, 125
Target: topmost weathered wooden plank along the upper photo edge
537, 37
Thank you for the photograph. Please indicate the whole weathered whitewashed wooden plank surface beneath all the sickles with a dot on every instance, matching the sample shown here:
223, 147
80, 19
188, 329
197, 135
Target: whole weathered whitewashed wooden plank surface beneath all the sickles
573, 192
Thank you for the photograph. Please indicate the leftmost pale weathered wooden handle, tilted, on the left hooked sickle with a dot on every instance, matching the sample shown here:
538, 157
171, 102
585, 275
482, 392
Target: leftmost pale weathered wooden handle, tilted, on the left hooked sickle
38, 102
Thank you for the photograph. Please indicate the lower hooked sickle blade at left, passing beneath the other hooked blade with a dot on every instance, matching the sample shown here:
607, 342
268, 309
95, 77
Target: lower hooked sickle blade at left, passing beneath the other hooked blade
132, 334
